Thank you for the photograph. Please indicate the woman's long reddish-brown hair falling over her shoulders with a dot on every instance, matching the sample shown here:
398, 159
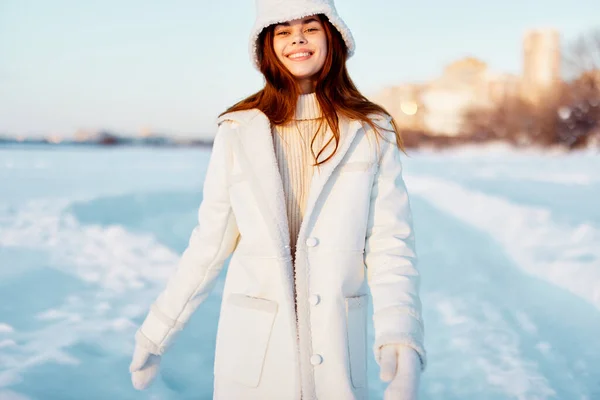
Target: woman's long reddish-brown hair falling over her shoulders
335, 91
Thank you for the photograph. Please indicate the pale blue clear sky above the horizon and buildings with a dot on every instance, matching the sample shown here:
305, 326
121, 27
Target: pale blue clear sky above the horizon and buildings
173, 66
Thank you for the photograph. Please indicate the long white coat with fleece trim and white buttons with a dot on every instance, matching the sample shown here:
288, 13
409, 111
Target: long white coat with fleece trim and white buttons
356, 235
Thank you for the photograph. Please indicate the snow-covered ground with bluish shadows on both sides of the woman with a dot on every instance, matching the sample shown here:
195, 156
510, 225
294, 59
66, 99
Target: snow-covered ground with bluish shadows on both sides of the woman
509, 244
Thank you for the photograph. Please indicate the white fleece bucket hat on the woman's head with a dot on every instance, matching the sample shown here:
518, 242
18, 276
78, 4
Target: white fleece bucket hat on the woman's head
269, 12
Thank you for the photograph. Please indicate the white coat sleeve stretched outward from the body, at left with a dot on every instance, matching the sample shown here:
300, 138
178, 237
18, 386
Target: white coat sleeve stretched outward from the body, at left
211, 242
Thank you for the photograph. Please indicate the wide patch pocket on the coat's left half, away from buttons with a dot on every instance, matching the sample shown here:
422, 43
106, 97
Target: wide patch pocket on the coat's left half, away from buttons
246, 325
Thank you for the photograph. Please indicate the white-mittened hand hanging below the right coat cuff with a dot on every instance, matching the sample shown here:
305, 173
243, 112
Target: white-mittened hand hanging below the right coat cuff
401, 365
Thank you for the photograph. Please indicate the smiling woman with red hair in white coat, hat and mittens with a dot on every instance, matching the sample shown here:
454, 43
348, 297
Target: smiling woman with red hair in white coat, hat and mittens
304, 187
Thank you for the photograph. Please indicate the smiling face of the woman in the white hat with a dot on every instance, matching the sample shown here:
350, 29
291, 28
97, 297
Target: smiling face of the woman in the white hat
301, 45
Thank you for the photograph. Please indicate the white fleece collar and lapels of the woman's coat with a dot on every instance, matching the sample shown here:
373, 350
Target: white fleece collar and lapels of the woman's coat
257, 144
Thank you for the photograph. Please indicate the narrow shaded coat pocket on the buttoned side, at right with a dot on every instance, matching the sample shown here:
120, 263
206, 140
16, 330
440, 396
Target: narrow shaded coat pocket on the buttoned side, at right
356, 325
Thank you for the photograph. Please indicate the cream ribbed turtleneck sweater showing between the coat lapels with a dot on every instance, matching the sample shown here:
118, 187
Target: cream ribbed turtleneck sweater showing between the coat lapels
292, 142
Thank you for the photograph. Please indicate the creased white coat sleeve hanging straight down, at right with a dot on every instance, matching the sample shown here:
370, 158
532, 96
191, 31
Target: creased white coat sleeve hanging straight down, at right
390, 256
